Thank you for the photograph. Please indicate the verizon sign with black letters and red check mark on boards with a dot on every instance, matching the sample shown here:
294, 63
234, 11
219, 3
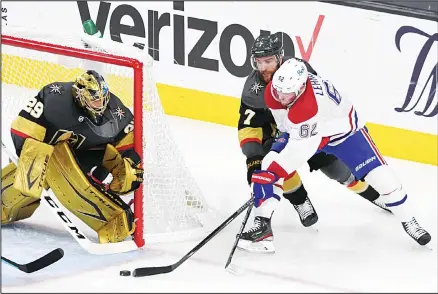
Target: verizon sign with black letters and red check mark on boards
212, 34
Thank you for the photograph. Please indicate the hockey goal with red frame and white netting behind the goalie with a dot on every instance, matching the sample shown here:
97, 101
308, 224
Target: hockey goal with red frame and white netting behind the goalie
170, 206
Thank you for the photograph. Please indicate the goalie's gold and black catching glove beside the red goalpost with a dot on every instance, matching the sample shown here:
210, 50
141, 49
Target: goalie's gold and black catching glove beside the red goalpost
125, 169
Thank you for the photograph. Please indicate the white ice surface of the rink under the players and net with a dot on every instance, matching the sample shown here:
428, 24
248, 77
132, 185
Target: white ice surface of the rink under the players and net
358, 247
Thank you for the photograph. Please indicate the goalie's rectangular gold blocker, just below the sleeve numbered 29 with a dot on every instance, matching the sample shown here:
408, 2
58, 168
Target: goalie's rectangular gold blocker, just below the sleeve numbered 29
32, 167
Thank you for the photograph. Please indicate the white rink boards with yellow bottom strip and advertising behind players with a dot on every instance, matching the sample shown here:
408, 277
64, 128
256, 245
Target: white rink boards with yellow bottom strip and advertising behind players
387, 64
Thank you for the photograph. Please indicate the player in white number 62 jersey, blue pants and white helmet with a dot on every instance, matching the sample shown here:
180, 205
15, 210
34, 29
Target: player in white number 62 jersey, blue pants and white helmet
315, 118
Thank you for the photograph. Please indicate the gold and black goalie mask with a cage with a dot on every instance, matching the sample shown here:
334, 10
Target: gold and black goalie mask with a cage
91, 92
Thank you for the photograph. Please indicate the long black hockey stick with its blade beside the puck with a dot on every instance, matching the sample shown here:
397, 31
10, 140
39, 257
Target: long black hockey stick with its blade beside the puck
149, 271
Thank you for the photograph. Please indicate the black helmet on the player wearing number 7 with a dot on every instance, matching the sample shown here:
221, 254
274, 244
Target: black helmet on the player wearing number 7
263, 46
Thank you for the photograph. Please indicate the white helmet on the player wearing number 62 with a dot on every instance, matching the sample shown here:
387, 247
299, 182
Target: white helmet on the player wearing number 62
289, 81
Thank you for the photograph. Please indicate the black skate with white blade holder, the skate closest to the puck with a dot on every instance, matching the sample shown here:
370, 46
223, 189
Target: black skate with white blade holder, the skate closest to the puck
259, 238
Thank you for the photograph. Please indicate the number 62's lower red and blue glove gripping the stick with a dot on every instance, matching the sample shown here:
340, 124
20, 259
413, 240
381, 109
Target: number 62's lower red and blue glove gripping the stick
263, 186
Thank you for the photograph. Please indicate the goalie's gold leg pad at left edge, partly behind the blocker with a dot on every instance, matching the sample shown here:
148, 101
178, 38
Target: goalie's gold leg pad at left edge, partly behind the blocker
15, 205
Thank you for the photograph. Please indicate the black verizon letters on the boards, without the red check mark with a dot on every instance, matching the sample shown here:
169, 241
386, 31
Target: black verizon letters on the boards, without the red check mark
157, 21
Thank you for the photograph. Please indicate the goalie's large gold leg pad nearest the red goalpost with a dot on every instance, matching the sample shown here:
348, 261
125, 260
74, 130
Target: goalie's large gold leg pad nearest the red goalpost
105, 213
